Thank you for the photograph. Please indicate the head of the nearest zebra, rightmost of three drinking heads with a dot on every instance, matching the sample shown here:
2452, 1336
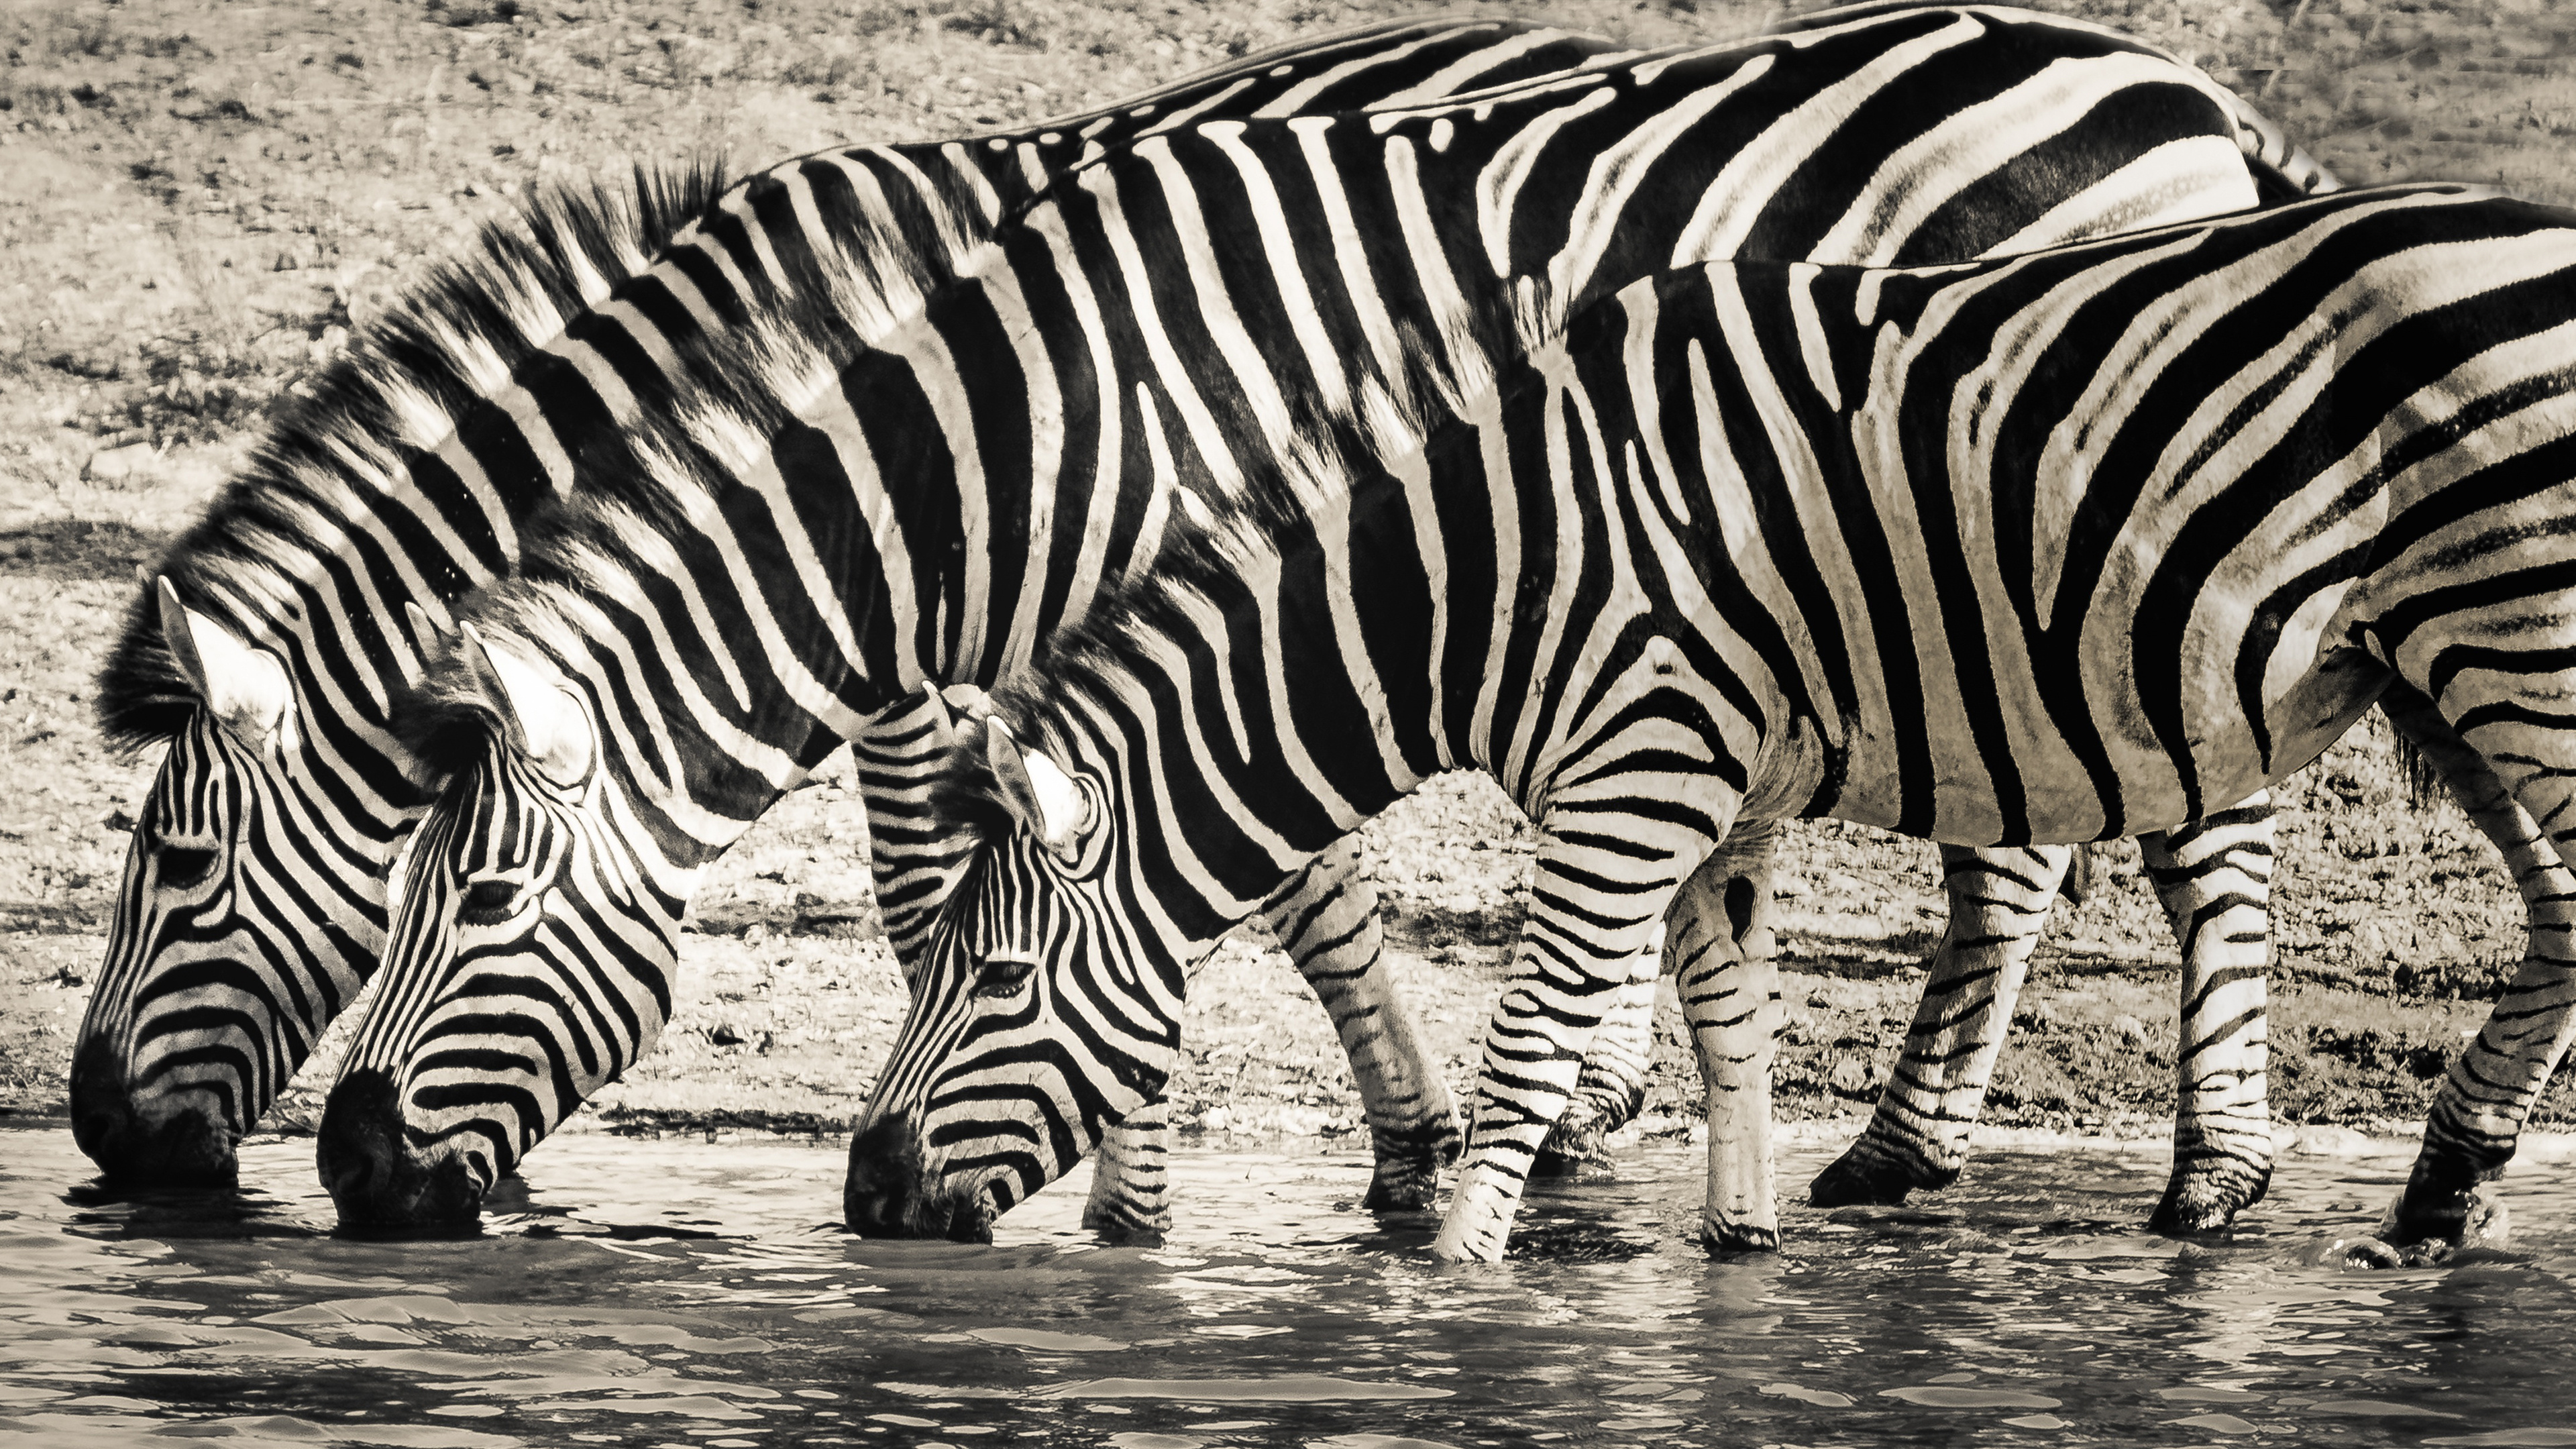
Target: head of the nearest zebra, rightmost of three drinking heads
1037, 1022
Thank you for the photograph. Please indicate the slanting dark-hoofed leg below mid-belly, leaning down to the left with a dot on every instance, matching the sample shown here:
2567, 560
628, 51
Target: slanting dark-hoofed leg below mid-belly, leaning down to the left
1920, 1133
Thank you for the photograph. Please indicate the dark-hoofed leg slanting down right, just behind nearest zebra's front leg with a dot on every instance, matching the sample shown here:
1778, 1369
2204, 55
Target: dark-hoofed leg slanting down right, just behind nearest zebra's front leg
1328, 922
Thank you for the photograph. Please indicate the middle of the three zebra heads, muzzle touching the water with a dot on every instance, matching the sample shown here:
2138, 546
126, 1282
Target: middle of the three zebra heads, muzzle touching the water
470, 1053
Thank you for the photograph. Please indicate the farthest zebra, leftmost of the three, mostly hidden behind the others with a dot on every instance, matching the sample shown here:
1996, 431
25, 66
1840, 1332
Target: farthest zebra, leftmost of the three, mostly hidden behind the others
282, 628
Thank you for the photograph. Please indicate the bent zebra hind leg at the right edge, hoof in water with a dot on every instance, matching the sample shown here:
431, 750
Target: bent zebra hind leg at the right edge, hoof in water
2474, 1123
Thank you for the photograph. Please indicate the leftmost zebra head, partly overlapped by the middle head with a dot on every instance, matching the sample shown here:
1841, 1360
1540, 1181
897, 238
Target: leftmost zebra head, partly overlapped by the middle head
243, 922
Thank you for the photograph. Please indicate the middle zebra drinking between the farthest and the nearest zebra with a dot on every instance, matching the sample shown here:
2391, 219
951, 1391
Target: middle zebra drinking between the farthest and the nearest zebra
535, 945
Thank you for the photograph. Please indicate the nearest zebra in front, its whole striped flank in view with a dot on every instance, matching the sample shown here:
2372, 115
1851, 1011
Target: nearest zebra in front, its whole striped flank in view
2041, 548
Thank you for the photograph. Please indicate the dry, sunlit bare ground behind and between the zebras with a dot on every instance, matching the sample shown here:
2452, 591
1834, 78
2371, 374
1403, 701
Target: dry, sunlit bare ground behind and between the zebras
202, 200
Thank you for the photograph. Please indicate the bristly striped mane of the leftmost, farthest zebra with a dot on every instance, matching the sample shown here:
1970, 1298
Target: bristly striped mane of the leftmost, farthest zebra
344, 442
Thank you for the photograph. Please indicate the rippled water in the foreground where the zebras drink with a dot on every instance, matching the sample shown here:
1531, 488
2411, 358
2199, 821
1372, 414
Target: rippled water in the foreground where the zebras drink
687, 1293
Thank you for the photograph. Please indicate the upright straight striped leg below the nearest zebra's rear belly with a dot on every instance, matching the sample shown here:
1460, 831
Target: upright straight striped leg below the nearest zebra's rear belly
2217, 888
